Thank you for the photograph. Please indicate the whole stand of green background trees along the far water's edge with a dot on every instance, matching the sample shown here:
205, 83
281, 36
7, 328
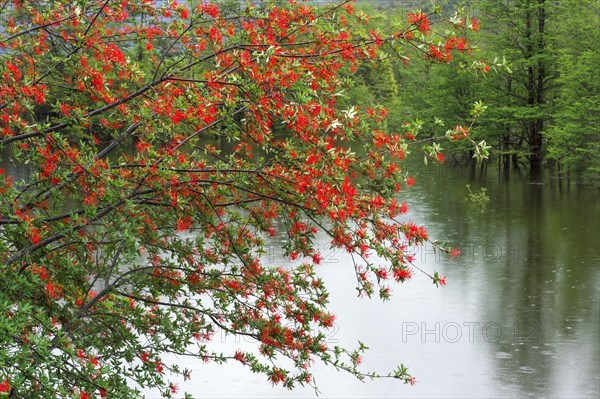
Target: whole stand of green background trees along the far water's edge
543, 108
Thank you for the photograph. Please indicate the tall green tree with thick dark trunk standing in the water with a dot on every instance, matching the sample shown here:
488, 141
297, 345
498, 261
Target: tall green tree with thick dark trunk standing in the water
520, 99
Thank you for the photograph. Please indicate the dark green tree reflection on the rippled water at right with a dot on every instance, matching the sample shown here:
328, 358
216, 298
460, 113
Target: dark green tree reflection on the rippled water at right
541, 285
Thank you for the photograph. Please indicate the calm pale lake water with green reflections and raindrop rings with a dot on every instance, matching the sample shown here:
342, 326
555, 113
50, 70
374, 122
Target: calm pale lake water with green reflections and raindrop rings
520, 316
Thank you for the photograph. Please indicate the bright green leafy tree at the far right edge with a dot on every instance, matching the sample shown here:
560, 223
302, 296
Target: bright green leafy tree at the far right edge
574, 134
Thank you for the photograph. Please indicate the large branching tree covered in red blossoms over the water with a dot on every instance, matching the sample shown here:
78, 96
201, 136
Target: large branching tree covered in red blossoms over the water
137, 234
